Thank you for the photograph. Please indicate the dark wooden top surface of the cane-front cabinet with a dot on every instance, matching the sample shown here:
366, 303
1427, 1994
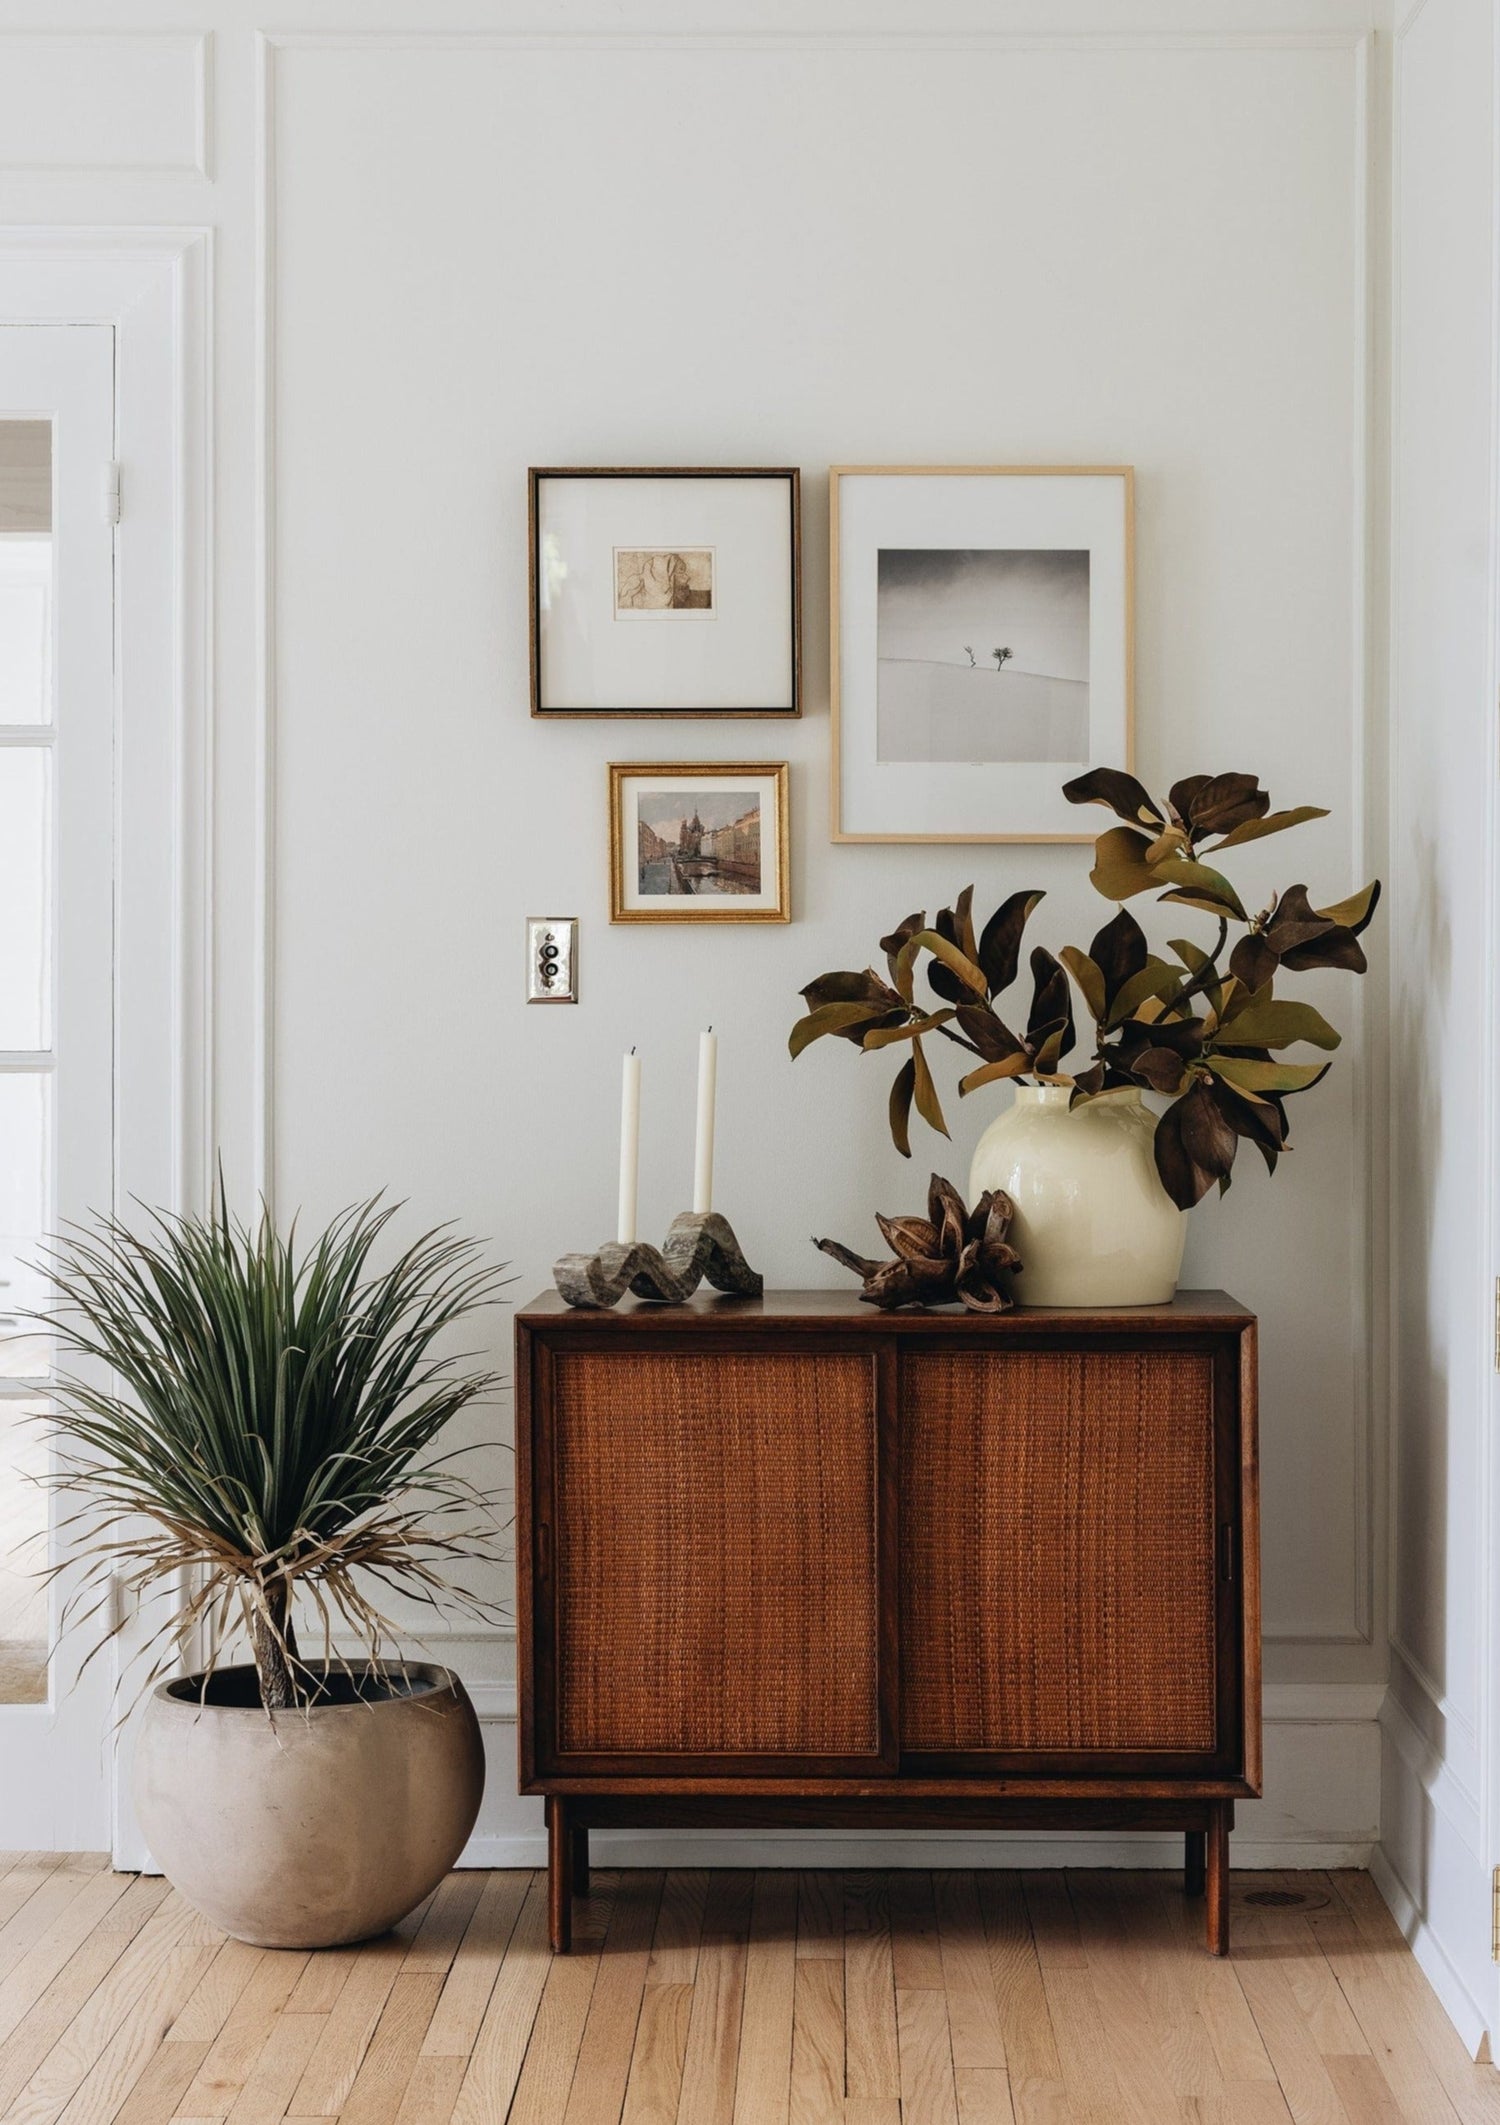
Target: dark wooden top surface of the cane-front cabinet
847, 1310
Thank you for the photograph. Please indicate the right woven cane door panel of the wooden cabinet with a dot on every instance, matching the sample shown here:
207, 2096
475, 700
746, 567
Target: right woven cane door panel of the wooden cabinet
1057, 1550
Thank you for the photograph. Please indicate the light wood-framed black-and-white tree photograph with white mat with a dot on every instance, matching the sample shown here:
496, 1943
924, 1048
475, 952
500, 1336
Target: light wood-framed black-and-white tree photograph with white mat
983, 647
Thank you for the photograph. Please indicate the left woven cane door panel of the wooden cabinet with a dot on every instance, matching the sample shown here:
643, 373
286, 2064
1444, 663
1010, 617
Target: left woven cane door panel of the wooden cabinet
717, 1565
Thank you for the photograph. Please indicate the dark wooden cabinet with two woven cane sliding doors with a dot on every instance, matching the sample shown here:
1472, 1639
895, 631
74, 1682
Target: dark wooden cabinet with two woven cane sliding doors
798, 1563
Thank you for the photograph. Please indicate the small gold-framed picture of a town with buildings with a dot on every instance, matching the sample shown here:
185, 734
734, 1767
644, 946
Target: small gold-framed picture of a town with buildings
700, 843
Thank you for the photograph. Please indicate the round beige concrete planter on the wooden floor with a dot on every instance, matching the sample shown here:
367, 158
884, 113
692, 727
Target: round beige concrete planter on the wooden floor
320, 1829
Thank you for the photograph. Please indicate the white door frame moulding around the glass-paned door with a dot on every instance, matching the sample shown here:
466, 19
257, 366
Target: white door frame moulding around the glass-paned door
154, 288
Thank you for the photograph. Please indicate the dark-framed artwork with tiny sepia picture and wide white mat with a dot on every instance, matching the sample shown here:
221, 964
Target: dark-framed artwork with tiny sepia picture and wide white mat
670, 592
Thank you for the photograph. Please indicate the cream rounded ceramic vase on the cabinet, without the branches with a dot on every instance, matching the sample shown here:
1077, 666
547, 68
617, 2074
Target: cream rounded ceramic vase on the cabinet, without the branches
1093, 1223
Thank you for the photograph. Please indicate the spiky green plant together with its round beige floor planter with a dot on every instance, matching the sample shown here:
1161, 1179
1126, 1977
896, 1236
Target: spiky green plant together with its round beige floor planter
248, 1440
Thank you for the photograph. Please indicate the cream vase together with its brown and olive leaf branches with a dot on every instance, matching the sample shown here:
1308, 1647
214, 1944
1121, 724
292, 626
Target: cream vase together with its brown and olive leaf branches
1100, 1185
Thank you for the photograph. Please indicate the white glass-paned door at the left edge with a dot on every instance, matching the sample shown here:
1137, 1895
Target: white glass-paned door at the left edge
56, 1025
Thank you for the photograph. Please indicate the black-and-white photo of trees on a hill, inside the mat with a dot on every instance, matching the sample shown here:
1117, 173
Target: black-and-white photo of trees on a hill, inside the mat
983, 656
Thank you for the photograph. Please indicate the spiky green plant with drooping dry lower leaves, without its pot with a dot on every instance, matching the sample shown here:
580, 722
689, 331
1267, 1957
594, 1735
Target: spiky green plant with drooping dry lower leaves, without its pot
262, 1421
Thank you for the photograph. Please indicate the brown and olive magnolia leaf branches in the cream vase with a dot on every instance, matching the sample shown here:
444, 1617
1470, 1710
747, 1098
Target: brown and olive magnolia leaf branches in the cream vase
1199, 1027
